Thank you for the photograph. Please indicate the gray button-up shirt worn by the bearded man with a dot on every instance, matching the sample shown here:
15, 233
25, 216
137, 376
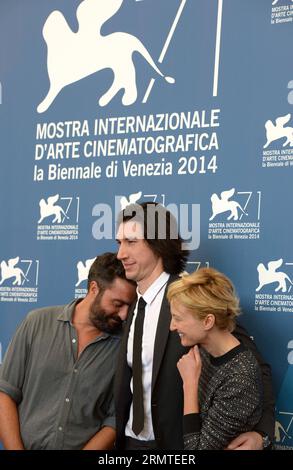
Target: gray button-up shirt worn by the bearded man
62, 400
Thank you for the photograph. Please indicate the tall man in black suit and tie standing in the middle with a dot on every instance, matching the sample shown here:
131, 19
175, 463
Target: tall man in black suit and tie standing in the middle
148, 390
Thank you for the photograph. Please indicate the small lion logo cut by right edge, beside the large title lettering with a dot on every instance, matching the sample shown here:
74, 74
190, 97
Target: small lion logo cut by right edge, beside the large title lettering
279, 142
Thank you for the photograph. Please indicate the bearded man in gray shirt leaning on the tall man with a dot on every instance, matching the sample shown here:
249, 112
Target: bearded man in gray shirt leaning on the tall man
56, 380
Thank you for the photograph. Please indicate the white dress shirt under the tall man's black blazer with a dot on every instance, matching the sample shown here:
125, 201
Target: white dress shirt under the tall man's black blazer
153, 298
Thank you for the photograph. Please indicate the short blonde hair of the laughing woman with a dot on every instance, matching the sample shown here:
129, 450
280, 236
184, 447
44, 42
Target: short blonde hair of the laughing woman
207, 291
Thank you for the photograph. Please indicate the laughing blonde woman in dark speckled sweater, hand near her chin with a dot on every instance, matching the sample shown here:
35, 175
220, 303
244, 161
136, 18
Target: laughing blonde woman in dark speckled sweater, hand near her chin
221, 377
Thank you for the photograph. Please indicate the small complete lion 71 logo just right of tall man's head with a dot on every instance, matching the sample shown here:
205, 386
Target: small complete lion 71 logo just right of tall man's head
235, 215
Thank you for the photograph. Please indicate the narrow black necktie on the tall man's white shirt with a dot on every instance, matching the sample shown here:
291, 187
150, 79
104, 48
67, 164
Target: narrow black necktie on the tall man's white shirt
138, 410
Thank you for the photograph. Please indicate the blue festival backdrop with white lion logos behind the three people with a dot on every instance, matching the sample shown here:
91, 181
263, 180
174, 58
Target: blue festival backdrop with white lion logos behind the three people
185, 102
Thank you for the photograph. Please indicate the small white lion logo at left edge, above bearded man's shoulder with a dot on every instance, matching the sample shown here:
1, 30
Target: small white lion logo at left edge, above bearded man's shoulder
19, 280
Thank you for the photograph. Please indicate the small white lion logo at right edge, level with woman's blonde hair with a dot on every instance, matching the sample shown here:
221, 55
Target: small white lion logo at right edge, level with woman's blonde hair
274, 286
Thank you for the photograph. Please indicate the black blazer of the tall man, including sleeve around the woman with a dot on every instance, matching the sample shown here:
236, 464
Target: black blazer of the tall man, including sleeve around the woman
167, 390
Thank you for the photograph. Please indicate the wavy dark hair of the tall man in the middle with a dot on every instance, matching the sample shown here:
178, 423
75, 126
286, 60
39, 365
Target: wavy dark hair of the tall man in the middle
160, 232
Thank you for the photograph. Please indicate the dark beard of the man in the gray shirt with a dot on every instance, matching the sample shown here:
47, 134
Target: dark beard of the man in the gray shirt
103, 321
